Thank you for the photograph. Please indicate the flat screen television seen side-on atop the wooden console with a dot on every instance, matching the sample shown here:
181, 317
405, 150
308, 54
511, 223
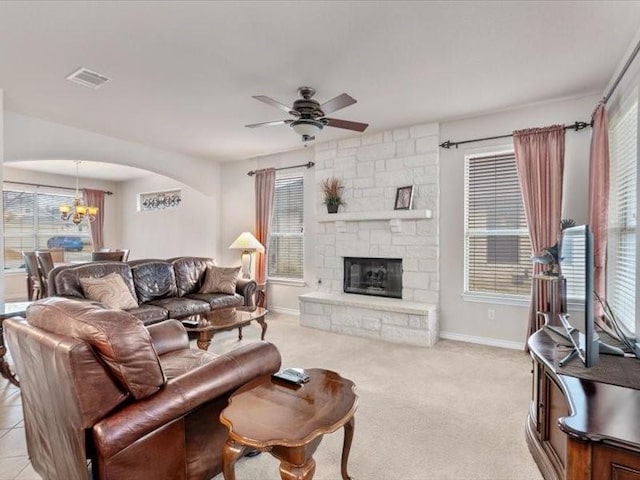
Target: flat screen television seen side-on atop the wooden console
575, 256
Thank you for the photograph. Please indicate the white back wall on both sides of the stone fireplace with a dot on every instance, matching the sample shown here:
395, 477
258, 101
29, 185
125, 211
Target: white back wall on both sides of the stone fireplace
459, 319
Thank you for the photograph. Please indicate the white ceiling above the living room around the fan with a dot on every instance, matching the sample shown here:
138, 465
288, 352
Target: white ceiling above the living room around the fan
183, 73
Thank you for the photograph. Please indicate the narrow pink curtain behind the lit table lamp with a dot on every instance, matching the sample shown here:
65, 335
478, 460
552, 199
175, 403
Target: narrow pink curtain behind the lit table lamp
265, 189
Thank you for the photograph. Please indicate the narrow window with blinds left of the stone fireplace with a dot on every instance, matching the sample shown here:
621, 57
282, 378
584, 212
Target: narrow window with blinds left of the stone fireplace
286, 242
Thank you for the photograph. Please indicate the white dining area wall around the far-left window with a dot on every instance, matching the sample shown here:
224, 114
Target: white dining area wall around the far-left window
14, 288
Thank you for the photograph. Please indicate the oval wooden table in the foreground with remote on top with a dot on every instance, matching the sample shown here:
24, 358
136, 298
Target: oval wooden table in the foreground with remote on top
289, 422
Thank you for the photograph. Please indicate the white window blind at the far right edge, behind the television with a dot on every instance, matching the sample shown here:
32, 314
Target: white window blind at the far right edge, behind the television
621, 233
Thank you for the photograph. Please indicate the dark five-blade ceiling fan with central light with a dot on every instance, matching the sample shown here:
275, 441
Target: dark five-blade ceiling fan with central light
310, 115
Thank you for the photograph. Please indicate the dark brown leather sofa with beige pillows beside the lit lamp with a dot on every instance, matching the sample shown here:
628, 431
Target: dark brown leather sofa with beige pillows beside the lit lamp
159, 289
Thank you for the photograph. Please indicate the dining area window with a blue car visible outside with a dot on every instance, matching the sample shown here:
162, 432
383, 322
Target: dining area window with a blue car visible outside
32, 222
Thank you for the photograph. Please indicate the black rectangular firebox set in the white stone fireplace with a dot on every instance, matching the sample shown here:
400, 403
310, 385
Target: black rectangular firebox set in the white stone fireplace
381, 277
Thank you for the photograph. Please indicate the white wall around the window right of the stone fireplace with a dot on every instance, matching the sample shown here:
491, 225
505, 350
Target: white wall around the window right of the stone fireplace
468, 320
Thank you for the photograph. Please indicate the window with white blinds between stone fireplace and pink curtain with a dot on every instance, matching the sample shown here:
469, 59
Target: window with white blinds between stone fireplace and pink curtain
497, 253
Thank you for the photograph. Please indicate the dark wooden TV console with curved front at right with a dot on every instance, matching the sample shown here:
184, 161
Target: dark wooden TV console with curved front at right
581, 429
